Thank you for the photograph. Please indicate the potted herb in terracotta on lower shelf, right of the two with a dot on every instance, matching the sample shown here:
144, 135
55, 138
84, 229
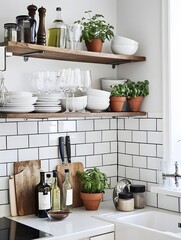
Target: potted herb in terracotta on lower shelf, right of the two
136, 91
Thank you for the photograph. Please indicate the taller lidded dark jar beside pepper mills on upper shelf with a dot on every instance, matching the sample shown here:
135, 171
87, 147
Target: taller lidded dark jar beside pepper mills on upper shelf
24, 28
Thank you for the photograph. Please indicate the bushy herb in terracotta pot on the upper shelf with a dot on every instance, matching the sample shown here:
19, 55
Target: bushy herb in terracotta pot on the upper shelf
95, 31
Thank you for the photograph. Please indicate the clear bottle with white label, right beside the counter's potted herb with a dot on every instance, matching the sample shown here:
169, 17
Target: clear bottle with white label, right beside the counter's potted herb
67, 192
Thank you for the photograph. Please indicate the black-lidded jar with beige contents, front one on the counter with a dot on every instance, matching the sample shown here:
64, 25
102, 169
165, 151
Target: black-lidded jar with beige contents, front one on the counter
126, 202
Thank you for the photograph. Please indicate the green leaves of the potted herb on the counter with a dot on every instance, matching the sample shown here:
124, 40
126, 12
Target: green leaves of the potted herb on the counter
93, 181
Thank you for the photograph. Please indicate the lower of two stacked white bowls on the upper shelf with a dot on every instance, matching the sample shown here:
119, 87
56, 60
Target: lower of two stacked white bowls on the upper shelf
127, 49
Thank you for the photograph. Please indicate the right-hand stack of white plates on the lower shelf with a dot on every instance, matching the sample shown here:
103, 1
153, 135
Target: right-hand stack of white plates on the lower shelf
48, 103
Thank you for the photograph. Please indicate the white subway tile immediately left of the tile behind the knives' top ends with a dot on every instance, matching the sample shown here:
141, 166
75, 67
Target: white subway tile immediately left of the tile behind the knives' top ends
38, 140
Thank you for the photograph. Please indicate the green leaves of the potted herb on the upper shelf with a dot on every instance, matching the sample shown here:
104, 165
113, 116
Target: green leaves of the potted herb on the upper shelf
95, 27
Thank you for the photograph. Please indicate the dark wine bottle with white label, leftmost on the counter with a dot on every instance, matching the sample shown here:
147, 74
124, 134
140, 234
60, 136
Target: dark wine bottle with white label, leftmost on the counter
42, 197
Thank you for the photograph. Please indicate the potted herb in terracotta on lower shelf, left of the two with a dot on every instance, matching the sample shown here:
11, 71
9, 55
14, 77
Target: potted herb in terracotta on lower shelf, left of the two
118, 97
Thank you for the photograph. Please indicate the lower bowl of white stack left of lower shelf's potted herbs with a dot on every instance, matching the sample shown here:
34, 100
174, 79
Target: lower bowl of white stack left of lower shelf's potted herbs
97, 104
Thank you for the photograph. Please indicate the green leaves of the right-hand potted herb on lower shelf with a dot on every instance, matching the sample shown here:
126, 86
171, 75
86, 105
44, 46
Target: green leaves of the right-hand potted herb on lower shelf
135, 89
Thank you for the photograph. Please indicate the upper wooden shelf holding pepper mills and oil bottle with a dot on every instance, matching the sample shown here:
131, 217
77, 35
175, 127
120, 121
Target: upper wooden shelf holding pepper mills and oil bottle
39, 51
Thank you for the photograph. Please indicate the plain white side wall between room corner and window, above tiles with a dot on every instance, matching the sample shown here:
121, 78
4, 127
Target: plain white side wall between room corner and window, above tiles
141, 20
